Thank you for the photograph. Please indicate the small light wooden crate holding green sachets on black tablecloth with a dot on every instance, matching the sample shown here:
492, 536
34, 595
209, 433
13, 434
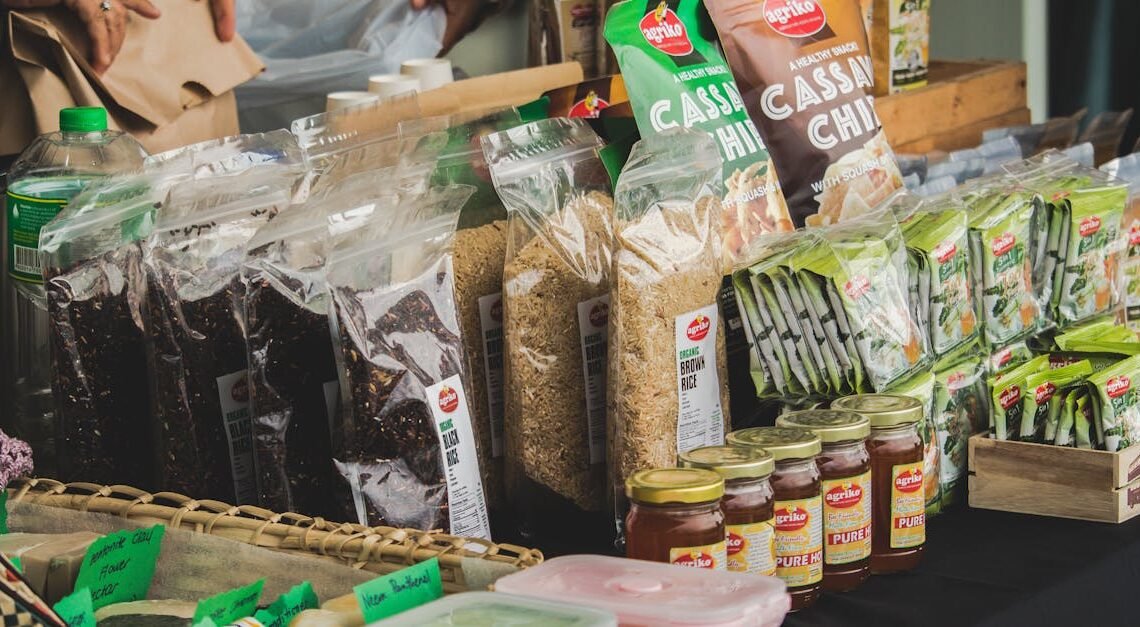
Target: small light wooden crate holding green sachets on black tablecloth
1055, 482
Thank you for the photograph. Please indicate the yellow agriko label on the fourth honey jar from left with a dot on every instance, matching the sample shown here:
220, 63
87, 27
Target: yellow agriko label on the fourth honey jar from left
848, 519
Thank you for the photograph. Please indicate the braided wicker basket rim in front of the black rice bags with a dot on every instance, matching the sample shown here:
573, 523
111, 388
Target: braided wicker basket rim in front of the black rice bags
380, 550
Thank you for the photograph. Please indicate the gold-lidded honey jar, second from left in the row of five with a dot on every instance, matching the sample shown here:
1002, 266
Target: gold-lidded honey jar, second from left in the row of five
748, 503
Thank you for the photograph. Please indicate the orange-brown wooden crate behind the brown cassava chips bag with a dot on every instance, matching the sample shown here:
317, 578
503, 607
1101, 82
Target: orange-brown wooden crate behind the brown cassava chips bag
963, 100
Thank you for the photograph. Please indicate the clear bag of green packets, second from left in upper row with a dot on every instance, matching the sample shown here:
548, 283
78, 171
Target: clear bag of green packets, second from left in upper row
939, 245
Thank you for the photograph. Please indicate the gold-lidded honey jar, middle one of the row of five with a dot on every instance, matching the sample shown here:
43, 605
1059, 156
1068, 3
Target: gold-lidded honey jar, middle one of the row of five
799, 507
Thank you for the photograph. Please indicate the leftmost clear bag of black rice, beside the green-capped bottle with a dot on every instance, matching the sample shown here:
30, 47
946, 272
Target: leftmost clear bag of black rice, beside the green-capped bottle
95, 287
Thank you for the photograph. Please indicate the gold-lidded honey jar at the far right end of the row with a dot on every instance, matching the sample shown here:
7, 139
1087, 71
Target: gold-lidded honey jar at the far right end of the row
898, 495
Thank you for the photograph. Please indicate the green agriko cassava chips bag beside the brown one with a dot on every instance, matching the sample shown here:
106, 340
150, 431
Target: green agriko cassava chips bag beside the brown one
675, 76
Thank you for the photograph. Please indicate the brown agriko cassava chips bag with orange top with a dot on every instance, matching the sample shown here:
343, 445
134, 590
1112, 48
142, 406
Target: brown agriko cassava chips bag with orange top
807, 79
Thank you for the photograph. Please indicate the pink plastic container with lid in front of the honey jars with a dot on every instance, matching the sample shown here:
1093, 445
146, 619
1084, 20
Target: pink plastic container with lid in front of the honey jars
655, 595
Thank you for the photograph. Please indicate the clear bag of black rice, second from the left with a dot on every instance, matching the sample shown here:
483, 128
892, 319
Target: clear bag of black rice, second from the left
201, 396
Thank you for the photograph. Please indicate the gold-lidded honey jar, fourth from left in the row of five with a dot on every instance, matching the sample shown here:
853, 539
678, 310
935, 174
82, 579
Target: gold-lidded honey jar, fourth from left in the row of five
845, 468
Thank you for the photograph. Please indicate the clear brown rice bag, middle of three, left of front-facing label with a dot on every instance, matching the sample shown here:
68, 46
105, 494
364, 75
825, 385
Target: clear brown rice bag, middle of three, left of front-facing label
557, 311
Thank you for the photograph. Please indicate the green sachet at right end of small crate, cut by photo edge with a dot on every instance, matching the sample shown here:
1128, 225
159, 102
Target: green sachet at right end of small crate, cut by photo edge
1118, 404
